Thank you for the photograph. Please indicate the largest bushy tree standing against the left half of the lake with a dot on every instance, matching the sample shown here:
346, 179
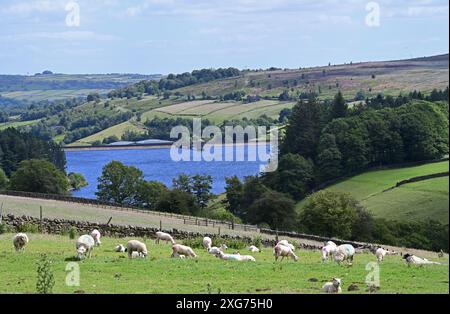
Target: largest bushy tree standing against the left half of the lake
119, 184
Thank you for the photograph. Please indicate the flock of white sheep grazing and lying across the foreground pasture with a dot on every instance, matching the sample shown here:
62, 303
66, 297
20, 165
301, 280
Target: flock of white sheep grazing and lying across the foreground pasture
136, 249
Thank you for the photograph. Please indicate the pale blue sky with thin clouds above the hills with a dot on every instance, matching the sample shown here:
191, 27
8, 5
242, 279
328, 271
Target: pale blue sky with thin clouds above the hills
175, 36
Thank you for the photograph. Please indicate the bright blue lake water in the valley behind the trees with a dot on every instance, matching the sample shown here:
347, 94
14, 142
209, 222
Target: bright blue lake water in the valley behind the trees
157, 165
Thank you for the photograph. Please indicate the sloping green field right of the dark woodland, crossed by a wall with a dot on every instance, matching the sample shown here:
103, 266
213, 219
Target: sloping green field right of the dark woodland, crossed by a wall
411, 202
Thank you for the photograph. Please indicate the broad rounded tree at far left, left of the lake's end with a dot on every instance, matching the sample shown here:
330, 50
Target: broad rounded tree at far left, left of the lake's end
39, 176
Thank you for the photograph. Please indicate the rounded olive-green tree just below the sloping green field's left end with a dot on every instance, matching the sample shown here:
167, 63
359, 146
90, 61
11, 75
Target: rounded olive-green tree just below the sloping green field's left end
330, 214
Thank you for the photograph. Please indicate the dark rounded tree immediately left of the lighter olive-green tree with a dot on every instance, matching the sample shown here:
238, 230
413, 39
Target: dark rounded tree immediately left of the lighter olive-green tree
275, 209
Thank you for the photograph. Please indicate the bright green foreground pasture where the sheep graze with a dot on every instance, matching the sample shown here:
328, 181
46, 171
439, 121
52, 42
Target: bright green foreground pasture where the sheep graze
109, 272
